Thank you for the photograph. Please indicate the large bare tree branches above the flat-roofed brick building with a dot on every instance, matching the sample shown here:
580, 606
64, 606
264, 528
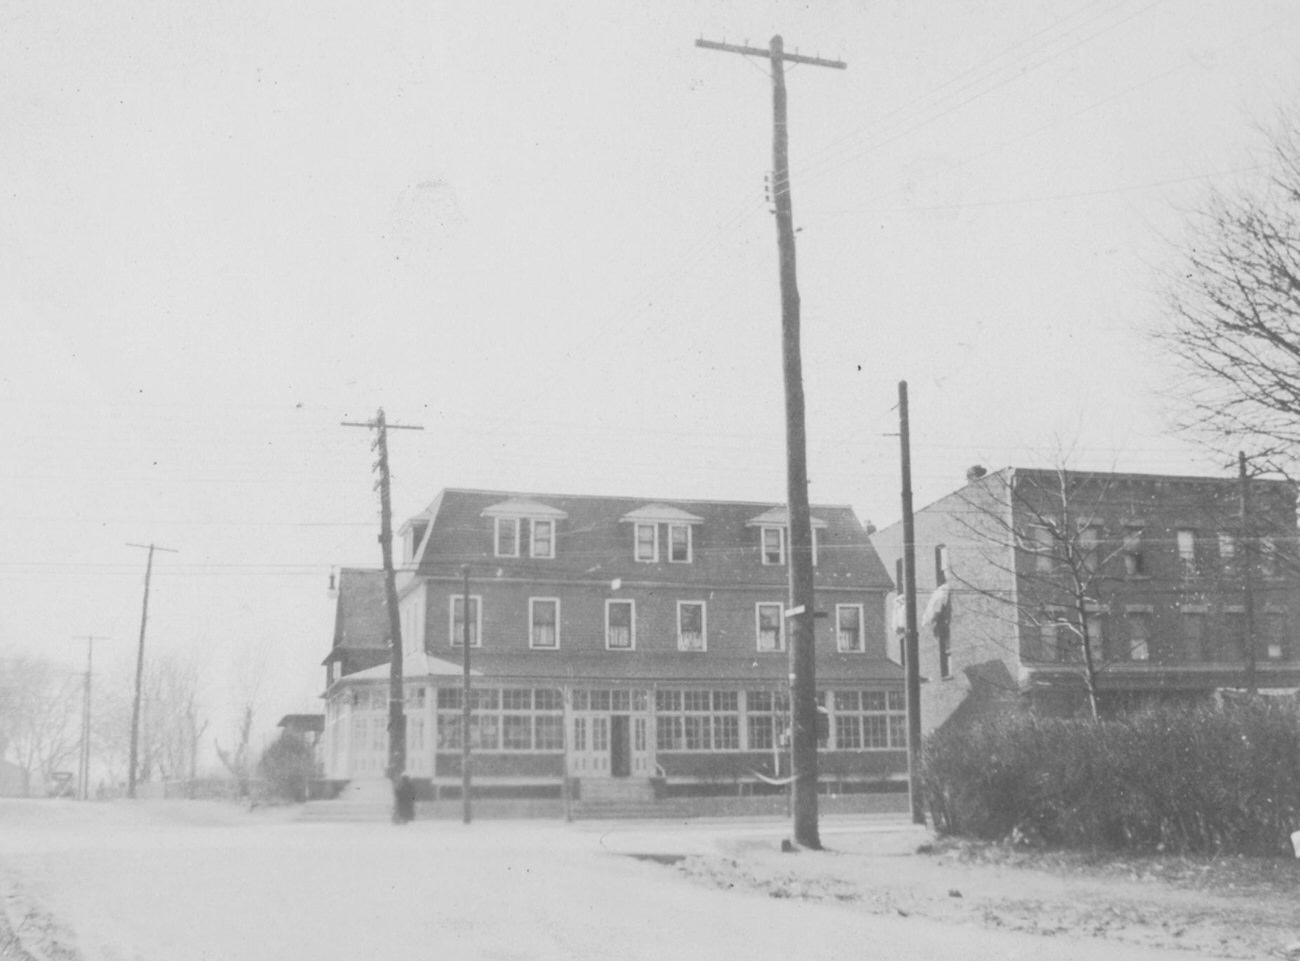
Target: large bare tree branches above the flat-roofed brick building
1233, 321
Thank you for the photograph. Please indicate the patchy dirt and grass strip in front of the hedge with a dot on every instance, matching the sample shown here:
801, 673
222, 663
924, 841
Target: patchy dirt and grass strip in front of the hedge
1246, 908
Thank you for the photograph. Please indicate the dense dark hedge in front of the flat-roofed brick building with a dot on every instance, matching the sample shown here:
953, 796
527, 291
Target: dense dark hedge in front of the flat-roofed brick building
1188, 781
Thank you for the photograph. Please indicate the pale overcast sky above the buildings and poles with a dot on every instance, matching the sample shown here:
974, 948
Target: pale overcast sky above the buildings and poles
539, 231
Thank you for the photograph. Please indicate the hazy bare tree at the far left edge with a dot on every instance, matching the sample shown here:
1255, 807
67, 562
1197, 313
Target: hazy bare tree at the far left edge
40, 713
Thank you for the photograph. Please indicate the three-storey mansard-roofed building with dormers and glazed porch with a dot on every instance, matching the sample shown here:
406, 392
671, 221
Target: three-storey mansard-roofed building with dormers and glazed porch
618, 638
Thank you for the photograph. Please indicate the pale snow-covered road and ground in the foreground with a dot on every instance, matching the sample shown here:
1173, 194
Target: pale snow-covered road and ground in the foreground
192, 881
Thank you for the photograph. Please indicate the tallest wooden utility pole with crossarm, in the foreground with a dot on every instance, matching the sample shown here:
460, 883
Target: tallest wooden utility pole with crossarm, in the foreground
800, 531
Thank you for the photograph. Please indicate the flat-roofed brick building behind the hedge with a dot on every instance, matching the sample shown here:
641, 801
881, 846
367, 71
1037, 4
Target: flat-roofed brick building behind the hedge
1165, 561
